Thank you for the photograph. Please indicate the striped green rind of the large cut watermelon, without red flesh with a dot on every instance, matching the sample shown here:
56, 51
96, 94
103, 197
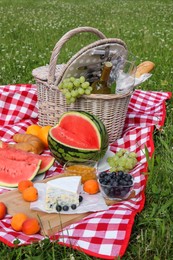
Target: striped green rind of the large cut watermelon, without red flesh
64, 153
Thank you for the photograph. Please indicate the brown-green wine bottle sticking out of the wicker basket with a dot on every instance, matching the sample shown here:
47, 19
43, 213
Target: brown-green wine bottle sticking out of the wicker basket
101, 86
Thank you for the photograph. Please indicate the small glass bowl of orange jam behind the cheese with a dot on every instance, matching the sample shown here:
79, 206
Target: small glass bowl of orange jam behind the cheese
87, 170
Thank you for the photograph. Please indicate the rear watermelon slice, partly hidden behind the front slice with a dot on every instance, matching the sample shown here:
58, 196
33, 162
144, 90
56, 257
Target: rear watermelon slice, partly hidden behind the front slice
19, 155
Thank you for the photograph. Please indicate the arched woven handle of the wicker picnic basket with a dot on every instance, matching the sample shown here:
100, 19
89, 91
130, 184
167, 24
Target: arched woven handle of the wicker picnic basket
61, 42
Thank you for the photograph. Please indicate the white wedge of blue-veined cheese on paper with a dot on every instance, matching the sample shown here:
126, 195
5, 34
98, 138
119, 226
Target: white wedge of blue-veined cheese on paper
63, 191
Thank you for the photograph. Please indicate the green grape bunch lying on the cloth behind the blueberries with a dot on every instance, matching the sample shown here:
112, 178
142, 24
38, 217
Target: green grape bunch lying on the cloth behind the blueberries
123, 160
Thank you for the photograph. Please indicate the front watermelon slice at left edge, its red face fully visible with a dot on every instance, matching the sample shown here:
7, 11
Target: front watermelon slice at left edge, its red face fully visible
12, 171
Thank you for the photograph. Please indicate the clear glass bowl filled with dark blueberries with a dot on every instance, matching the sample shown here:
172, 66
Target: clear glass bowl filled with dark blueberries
115, 185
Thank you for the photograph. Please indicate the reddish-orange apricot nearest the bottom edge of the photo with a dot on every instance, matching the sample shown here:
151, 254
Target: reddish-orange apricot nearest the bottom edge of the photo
30, 226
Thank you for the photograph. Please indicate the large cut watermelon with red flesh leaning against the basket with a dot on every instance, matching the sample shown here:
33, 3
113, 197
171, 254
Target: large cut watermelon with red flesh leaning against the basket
79, 136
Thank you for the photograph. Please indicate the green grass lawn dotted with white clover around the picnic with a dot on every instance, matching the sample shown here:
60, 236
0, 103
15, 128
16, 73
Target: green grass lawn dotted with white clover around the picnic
29, 31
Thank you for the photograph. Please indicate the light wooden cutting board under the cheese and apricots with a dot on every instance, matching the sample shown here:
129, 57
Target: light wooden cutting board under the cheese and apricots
51, 223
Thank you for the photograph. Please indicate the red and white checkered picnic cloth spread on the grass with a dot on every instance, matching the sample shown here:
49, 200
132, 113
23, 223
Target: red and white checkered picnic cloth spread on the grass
103, 234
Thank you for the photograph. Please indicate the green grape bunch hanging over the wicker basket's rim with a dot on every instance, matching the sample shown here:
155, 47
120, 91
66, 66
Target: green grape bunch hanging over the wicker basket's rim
73, 88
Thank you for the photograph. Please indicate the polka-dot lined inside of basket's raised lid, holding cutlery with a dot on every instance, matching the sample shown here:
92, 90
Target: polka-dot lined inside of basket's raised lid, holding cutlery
90, 62
